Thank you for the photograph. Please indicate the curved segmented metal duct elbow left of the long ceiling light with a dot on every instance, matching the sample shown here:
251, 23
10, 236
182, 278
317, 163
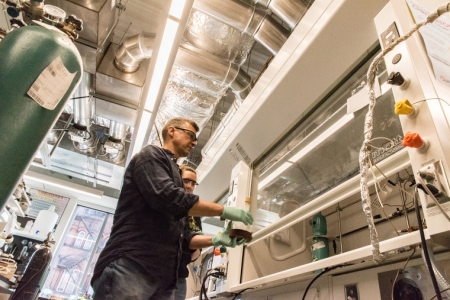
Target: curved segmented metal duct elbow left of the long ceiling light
133, 50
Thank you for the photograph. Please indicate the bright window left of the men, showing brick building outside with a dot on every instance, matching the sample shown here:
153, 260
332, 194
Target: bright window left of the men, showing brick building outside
71, 268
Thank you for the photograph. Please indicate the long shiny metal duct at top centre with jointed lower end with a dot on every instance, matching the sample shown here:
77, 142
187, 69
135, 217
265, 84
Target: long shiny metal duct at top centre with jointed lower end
248, 19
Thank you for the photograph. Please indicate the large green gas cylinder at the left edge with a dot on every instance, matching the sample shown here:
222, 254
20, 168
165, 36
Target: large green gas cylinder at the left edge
24, 54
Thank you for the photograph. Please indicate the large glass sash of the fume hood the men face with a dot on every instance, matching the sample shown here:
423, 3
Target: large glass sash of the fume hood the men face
323, 150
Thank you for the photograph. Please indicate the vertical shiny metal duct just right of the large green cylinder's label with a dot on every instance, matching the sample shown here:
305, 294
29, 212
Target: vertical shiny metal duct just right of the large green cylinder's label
83, 103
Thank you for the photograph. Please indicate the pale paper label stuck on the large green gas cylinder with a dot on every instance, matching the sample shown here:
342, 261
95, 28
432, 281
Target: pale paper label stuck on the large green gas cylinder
51, 85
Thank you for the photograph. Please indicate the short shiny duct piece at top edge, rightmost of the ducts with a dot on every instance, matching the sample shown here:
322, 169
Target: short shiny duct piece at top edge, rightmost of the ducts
289, 11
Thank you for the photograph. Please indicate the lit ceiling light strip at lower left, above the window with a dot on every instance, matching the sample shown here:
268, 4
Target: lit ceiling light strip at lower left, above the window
64, 185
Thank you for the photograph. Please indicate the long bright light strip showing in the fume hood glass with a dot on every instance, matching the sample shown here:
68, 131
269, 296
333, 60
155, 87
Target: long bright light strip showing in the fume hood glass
309, 147
